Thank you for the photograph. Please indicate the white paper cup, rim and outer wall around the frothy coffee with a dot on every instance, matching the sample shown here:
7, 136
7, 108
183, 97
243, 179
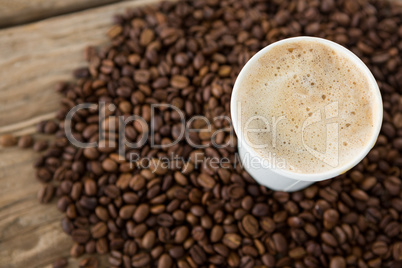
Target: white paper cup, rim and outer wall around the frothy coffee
279, 179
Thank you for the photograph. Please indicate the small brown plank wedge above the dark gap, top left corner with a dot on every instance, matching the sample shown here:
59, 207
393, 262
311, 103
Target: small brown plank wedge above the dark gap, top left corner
13, 12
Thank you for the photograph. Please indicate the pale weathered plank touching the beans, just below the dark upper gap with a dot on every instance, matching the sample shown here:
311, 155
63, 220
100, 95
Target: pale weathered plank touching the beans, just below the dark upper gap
34, 57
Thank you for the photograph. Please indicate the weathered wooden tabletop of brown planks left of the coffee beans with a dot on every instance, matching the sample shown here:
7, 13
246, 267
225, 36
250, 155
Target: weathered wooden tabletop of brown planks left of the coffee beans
33, 57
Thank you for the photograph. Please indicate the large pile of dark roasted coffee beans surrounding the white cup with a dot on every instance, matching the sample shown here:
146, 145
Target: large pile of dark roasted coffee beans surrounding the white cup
194, 214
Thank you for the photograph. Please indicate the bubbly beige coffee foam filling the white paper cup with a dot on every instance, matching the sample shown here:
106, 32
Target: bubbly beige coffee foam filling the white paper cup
299, 81
